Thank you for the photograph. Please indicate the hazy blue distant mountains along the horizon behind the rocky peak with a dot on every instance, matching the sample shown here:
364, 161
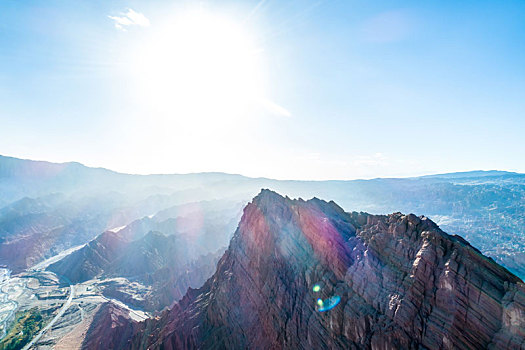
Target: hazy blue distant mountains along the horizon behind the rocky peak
47, 207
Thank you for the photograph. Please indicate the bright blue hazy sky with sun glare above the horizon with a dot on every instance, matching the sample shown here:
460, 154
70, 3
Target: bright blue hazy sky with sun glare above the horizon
282, 89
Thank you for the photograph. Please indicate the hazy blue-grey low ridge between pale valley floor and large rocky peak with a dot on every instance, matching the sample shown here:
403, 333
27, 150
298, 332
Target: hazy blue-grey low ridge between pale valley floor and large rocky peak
161, 263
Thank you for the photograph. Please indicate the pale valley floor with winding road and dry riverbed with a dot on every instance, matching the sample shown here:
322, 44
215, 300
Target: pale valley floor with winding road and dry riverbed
67, 309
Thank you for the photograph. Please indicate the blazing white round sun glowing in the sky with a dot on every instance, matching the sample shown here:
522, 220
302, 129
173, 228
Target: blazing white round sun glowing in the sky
200, 66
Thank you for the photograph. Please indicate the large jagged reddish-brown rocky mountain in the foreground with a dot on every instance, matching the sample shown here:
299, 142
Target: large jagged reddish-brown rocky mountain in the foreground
398, 282
